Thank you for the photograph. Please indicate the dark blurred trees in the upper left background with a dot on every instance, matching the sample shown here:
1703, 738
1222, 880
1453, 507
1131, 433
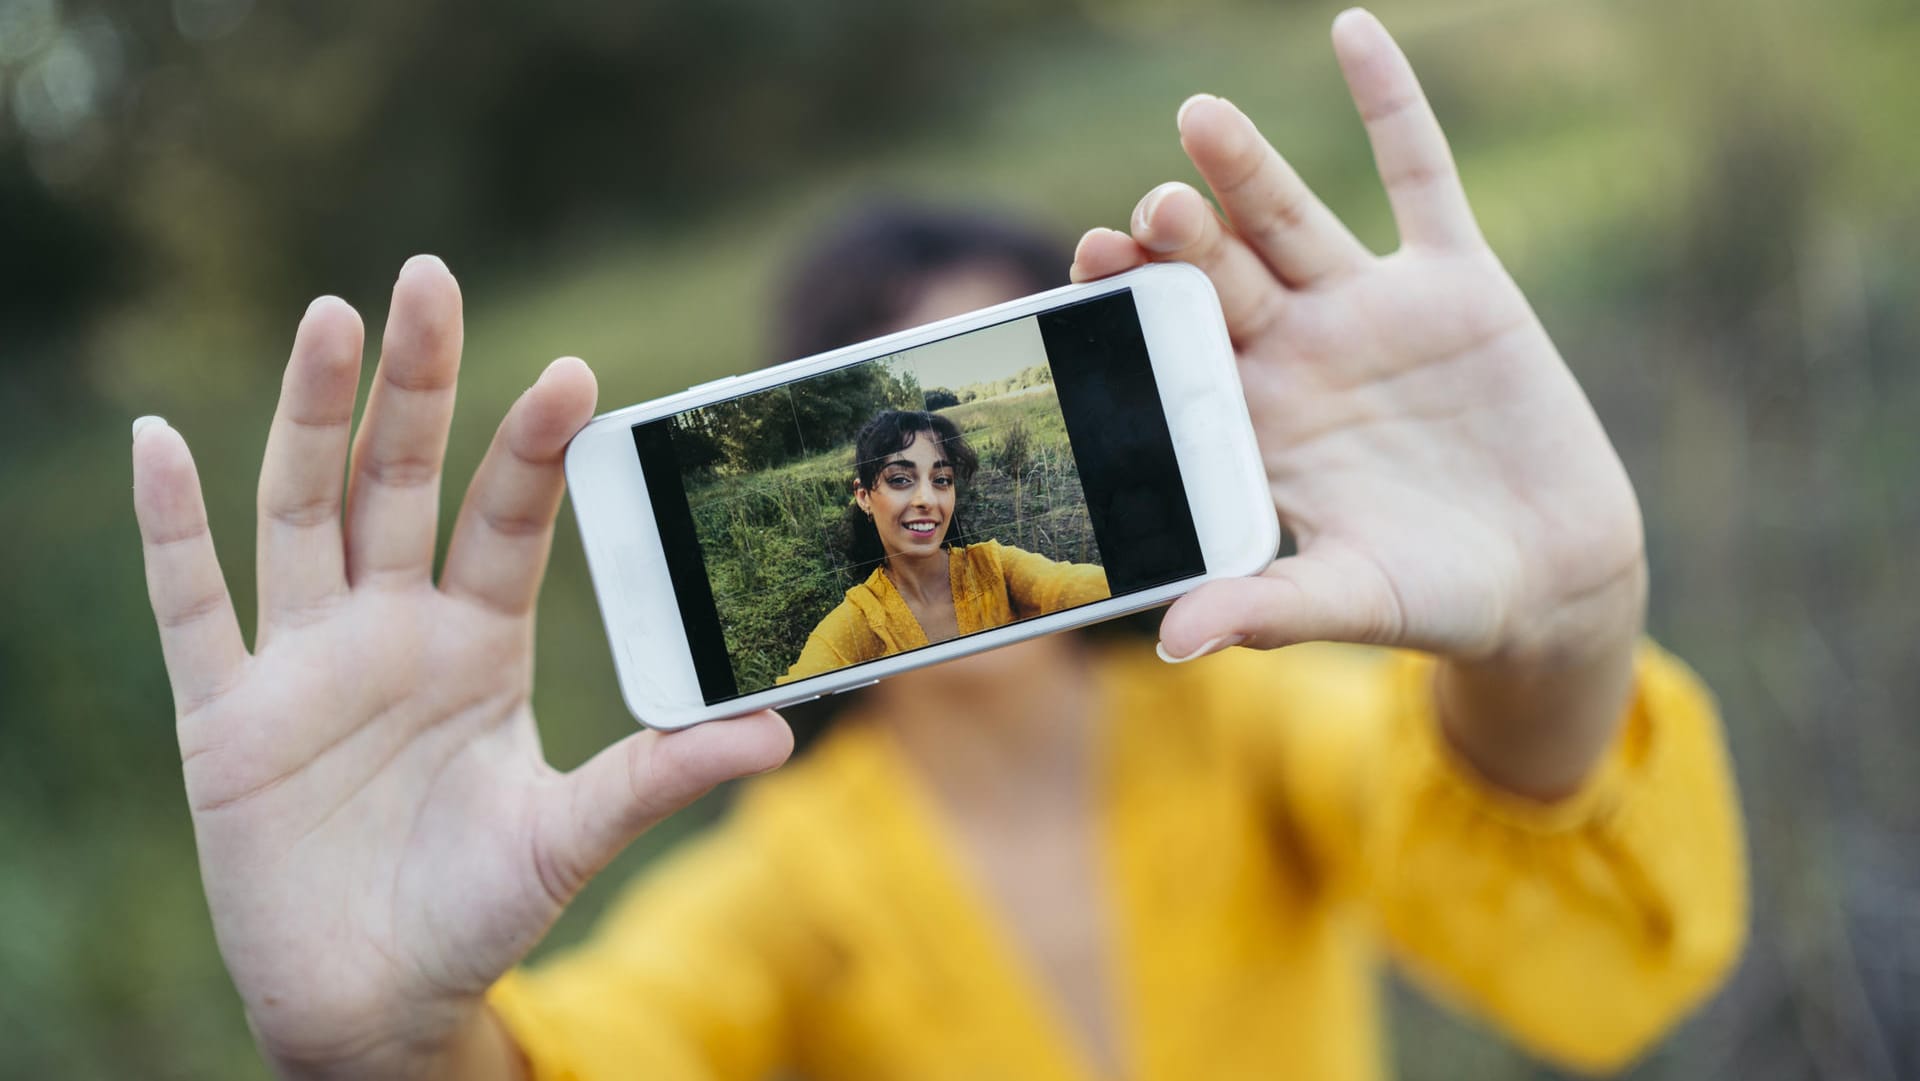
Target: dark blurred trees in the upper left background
264, 153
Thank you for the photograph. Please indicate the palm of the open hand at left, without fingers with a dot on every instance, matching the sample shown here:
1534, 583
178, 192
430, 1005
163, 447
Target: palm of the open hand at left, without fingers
396, 825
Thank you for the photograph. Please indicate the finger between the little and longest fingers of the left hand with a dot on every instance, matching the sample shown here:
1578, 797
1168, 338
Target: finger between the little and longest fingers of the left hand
300, 554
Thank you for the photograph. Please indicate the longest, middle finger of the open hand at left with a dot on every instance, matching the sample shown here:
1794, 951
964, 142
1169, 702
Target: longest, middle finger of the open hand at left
395, 492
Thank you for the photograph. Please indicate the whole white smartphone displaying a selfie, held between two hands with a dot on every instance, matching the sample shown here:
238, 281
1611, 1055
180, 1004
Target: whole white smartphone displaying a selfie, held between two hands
792, 533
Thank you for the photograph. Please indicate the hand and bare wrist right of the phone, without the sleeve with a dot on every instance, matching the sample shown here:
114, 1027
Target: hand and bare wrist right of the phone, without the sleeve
1449, 483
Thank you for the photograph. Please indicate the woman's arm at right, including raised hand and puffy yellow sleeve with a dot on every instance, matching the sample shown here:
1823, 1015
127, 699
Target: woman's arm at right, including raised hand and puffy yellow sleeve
1547, 830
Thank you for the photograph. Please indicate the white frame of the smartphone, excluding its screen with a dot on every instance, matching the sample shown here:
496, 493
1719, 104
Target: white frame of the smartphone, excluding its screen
1201, 398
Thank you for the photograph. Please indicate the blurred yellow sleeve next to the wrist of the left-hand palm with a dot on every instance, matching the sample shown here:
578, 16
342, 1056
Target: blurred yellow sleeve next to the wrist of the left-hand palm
694, 974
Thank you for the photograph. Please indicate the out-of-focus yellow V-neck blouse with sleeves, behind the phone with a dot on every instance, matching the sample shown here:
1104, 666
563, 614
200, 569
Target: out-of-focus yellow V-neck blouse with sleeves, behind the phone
1270, 827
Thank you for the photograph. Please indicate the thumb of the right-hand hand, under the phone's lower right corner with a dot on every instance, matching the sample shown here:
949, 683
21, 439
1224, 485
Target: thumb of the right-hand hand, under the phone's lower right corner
1303, 598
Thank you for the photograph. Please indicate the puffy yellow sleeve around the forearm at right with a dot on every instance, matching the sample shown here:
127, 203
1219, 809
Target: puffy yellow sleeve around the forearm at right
1583, 928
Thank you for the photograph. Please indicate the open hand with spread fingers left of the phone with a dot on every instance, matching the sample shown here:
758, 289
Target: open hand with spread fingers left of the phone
379, 834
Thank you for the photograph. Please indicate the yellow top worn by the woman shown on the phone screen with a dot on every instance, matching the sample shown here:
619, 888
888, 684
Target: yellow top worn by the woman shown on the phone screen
994, 587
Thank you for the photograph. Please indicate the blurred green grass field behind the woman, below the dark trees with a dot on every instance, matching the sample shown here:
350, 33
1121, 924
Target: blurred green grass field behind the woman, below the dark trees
1710, 204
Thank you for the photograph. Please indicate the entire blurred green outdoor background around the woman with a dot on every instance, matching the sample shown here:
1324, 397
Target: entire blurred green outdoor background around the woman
1712, 204
